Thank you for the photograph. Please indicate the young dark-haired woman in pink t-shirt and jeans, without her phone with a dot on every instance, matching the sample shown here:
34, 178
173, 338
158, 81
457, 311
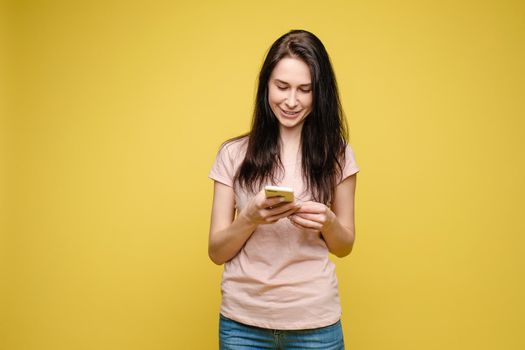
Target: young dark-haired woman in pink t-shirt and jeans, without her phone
279, 289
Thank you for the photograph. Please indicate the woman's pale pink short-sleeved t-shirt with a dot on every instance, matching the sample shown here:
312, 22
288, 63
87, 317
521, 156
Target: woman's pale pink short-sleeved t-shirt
282, 277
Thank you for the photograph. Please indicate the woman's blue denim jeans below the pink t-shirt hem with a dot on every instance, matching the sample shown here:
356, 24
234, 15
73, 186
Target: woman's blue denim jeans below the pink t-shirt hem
237, 336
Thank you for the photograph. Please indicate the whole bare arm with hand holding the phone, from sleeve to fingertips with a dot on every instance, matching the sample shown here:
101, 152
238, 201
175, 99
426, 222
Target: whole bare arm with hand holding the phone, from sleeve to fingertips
229, 234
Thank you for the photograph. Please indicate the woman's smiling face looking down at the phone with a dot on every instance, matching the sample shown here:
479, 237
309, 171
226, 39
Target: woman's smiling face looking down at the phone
290, 92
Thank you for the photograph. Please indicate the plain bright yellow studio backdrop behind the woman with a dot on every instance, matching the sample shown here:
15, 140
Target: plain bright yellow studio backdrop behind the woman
113, 112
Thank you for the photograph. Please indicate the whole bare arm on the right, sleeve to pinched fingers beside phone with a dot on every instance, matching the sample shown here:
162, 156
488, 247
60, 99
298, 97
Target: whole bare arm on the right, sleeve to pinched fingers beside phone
336, 223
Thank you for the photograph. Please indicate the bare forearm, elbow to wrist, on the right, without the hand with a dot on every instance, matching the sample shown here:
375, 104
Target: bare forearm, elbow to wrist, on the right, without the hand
338, 238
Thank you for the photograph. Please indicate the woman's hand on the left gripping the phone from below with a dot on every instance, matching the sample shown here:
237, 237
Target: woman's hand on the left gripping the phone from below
261, 210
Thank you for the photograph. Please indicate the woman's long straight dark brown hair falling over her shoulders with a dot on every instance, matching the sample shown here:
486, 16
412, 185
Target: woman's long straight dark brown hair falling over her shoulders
324, 132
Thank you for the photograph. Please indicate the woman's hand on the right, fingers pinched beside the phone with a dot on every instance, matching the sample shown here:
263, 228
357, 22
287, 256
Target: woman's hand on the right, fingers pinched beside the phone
312, 216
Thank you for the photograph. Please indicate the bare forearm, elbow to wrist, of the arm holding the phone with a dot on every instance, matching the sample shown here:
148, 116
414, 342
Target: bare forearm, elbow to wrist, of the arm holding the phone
226, 243
